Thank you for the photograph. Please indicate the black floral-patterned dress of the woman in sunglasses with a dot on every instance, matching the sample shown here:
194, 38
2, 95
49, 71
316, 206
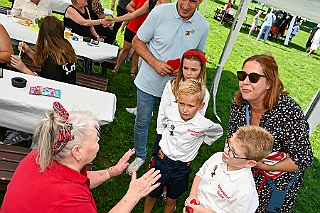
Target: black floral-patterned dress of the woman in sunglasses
288, 125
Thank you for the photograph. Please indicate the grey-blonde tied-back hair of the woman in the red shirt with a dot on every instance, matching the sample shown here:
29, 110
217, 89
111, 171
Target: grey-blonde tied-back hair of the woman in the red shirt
47, 130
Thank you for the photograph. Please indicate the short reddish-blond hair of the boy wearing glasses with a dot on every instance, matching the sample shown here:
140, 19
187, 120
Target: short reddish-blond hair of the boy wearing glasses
257, 141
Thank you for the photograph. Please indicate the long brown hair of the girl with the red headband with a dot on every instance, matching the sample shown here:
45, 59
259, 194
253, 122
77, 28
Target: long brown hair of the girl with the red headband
202, 76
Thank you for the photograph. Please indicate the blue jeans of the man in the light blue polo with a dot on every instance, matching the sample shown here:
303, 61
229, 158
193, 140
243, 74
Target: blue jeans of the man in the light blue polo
145, 105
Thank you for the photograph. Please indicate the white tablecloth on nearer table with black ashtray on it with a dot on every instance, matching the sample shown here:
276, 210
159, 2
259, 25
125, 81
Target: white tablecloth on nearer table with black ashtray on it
22, 112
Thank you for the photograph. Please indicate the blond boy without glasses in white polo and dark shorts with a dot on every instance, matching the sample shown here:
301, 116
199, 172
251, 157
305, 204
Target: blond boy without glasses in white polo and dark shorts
183, 131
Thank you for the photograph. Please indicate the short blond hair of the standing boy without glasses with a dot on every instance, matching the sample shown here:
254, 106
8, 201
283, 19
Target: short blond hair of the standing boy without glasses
192, 87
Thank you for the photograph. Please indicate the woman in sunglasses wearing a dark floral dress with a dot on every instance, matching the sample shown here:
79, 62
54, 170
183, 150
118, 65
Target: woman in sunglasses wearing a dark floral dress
262, 101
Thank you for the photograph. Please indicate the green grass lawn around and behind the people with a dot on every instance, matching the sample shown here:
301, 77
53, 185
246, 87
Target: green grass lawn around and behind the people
299, 73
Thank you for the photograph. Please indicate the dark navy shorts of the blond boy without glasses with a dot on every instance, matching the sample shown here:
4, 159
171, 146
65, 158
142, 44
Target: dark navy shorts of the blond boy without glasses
174, 175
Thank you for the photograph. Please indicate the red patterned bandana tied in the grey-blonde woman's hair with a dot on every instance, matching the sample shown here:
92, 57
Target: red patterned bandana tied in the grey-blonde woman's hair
64, 134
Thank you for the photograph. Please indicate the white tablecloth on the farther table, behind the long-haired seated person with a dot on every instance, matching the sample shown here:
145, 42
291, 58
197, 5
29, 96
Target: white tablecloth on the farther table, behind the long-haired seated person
18, 32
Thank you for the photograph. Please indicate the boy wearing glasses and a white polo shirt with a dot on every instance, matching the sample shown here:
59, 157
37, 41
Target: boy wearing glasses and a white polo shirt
225, 183
